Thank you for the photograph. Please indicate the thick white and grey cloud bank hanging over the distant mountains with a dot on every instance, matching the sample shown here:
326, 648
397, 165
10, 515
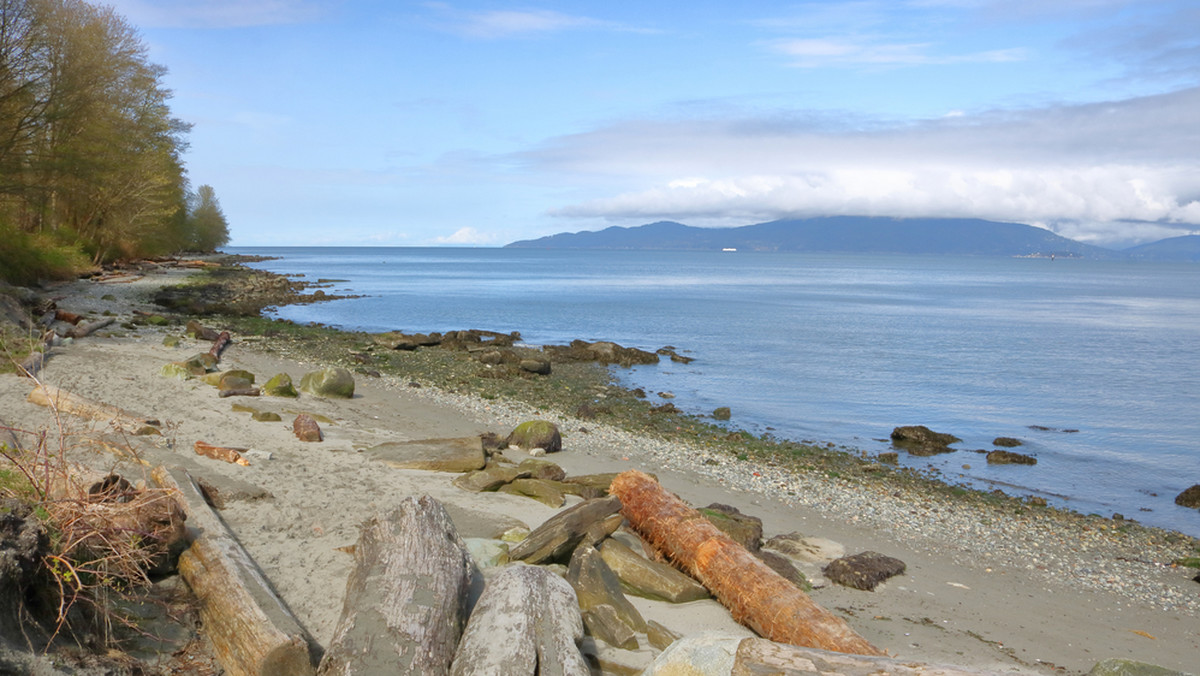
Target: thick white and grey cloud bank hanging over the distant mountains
1093, 170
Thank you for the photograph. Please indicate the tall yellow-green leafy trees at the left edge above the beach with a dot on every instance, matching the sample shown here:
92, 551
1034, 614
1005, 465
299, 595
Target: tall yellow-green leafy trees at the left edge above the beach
91, 155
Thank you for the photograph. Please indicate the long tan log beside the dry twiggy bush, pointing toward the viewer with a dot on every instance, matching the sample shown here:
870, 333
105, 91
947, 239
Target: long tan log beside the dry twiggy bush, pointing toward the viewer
251, 631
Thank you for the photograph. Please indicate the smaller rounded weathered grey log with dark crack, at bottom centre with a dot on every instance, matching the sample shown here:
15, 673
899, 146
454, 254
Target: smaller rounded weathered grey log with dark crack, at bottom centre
527, 623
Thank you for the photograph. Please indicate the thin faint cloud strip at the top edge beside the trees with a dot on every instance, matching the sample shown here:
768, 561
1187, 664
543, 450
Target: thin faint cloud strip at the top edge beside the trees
219, 14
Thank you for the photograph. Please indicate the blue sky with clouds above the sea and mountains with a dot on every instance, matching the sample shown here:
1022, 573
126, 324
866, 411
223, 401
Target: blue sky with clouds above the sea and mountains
482, 123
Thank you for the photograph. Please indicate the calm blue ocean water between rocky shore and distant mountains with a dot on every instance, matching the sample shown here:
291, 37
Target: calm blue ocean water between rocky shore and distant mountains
842, 349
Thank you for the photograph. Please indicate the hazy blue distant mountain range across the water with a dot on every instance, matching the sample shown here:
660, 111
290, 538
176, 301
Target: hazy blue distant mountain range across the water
866, 235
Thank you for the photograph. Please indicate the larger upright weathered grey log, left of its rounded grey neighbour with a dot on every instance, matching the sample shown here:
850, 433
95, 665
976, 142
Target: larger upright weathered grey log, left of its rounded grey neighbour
406, 599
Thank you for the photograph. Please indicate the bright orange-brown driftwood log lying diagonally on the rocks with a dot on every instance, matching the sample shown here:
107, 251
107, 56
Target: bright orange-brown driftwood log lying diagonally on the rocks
755, 595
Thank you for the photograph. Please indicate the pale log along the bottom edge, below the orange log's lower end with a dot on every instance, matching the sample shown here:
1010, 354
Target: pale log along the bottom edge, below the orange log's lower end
759, 657
